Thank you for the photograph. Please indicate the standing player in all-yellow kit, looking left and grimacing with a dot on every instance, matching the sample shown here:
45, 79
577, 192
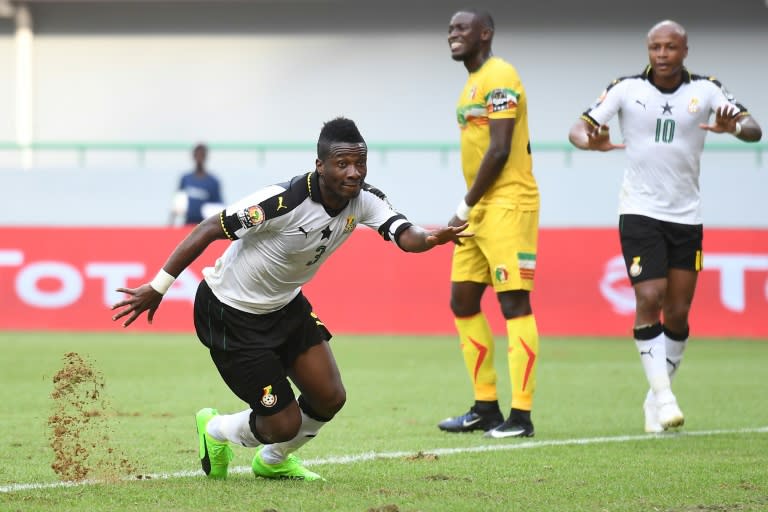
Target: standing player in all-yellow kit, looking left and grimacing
501, 206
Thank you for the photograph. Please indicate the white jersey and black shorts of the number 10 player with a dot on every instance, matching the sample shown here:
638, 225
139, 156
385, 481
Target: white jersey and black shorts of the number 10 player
659, 204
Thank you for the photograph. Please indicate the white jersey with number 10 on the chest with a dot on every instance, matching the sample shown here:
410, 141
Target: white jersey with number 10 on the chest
663, 141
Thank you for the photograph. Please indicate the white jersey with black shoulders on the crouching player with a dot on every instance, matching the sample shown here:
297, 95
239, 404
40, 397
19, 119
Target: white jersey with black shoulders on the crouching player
282, 234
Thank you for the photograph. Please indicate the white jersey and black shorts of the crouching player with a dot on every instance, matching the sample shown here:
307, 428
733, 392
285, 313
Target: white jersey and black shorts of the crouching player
249, 309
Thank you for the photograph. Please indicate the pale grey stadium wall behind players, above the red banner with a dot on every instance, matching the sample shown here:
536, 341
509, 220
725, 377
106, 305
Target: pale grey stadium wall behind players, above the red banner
274, 71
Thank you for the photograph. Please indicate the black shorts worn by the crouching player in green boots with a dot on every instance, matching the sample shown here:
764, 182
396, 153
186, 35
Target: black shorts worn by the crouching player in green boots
254, 352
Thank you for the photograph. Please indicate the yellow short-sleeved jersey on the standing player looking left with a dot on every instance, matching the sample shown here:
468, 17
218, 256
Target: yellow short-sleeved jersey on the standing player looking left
495, 92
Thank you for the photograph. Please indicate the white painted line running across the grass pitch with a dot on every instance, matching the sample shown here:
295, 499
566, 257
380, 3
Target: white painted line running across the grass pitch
351, 459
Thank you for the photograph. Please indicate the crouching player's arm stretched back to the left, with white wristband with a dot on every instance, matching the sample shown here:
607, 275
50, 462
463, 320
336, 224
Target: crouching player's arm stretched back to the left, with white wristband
147, 297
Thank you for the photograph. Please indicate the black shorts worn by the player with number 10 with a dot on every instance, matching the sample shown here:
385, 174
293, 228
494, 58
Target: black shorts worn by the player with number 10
651, 247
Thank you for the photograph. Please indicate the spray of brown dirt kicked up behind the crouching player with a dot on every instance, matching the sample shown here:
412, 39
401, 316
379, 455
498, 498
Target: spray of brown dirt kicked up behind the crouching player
79, 425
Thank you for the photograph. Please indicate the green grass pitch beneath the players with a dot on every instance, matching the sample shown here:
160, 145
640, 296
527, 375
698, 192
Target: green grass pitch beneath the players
383, 452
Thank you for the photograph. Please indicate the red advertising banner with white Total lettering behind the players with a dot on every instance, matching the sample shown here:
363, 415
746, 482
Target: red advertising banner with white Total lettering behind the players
65, 279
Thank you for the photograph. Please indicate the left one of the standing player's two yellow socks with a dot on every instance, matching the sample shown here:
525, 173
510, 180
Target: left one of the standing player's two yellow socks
477, 346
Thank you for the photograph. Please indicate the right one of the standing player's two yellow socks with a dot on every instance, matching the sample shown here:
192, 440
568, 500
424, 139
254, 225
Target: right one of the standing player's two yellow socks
523, 355
